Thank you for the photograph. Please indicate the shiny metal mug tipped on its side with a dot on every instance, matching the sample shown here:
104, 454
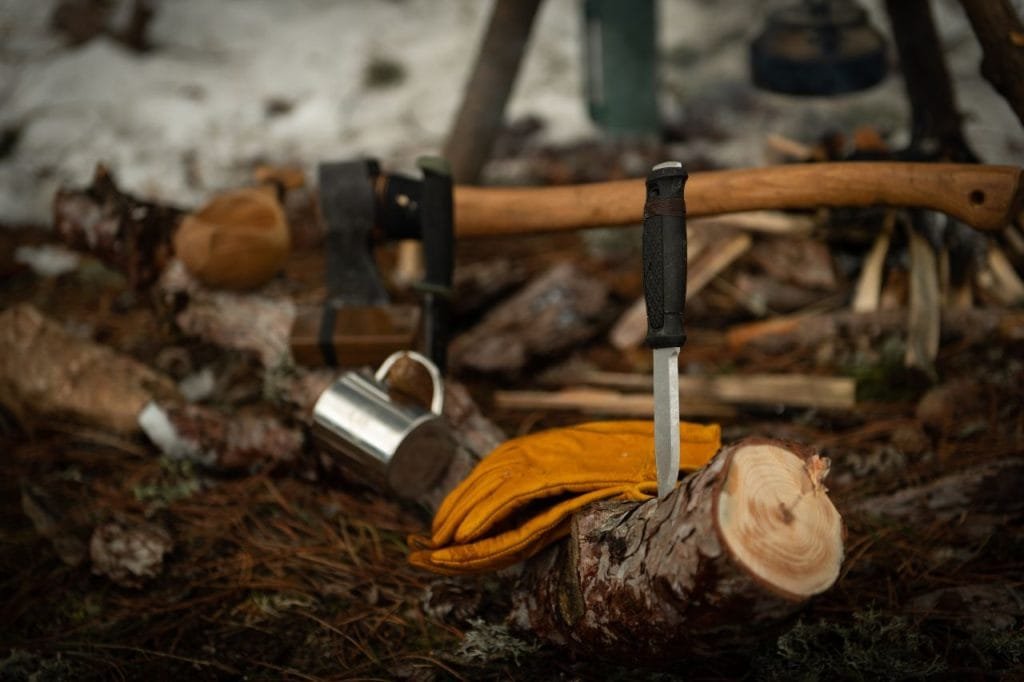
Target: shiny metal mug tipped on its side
401, 447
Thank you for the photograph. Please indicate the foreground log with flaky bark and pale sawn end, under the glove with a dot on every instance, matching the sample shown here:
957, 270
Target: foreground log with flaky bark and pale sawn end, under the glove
740, 545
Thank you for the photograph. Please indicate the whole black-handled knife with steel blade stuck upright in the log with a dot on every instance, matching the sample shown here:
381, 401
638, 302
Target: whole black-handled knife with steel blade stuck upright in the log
665, 295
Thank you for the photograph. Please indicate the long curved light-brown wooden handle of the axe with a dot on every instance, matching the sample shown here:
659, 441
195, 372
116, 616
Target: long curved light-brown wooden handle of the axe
986, 197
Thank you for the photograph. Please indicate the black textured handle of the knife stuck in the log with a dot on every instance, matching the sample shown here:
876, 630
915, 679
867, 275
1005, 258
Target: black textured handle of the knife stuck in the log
665, 255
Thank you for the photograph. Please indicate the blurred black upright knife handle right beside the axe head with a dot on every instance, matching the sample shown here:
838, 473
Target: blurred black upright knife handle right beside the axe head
438, 229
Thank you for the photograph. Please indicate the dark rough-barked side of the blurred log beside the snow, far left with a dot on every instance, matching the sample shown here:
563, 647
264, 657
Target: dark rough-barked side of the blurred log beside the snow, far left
131, 235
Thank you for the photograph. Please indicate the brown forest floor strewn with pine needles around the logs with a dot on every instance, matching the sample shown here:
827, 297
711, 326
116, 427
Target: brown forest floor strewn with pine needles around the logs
288, 573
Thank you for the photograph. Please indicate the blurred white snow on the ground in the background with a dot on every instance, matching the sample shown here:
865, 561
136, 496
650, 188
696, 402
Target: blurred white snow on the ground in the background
235, 82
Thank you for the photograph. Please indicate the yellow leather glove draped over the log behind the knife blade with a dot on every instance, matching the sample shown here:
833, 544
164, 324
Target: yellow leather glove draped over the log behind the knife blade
522, 496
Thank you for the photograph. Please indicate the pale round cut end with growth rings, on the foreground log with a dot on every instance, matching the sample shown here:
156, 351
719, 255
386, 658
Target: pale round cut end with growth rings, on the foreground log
776, 519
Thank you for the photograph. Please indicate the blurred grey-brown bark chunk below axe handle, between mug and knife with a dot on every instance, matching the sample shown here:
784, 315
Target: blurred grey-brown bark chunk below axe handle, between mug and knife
561, 309
